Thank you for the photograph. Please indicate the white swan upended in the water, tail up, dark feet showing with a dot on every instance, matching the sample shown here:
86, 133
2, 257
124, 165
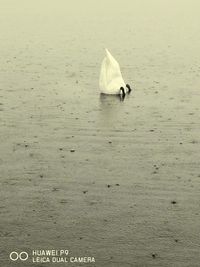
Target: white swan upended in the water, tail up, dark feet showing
111, 81
